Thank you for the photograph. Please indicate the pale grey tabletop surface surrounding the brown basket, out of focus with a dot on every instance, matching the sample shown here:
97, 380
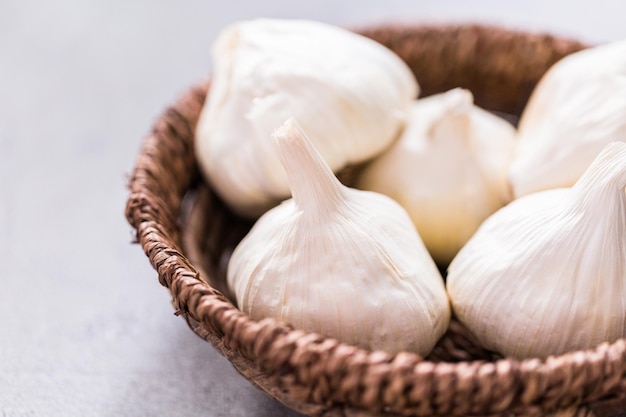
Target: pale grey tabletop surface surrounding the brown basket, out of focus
85, 328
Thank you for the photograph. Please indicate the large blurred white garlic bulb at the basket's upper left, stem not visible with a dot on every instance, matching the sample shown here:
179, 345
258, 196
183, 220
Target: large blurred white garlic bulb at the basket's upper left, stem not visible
349, 92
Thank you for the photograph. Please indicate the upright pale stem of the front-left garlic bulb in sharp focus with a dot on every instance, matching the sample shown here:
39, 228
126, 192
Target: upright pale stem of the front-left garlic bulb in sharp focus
311, 181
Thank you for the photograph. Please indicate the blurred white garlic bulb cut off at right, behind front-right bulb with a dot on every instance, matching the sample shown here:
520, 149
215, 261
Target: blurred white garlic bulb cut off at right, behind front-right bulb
578, 107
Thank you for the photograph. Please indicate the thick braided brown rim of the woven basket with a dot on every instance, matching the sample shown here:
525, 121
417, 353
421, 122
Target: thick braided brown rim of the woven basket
334, 372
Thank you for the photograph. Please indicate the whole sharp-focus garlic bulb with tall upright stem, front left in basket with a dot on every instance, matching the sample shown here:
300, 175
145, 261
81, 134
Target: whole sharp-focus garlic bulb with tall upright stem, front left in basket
345, 263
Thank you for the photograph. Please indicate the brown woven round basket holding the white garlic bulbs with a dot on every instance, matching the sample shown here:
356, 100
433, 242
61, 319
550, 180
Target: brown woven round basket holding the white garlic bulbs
188, 234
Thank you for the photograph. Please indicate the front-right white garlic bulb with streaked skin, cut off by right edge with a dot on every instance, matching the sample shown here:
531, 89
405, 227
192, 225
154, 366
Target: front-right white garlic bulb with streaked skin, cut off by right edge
547, 273
